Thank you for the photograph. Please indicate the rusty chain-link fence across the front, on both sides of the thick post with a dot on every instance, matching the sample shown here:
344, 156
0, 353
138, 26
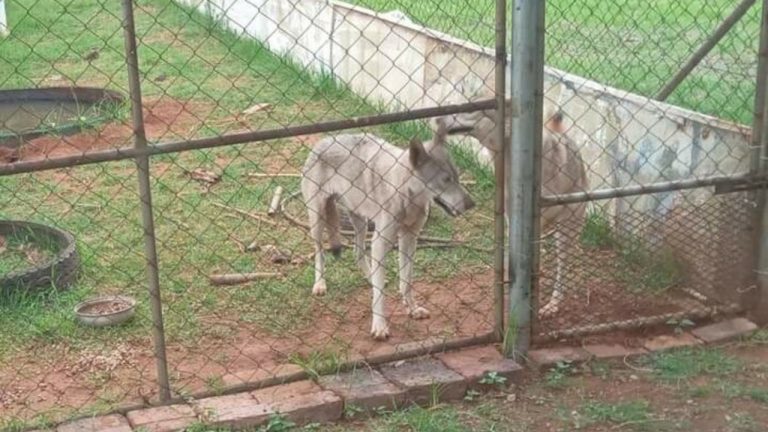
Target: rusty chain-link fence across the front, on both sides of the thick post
196, 151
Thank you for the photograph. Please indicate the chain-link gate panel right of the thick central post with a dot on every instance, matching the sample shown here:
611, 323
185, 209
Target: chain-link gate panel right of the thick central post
659, 230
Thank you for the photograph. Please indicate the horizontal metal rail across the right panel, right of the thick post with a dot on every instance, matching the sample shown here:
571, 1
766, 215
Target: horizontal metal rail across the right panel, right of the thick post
726, 183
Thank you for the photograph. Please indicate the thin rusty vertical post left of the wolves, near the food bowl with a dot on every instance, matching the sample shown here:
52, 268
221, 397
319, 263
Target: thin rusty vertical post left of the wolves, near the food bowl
145, 193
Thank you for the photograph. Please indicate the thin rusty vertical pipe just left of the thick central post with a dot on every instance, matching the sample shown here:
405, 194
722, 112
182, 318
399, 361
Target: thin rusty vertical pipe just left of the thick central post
499, 201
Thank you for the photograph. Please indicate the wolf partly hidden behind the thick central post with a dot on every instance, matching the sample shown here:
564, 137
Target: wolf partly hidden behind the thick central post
562, 171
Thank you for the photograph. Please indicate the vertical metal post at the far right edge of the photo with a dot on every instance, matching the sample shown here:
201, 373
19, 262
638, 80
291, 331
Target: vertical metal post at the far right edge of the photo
758, 165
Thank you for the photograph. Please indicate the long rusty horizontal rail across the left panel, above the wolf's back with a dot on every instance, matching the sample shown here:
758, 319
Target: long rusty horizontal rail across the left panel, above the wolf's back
240, 138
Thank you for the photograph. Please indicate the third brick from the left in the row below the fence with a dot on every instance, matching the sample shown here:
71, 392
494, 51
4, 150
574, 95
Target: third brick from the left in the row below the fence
239, 410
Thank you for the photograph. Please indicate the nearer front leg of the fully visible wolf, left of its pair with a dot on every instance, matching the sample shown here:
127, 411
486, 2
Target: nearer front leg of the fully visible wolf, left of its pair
382, 242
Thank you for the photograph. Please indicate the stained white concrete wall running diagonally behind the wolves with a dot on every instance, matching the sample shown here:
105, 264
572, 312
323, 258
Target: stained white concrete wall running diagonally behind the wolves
625, 138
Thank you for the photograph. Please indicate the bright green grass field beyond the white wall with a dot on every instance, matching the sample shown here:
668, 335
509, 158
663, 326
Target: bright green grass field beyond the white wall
635, 46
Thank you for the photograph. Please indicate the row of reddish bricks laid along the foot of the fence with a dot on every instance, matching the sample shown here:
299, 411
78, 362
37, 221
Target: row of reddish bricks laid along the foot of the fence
429, 379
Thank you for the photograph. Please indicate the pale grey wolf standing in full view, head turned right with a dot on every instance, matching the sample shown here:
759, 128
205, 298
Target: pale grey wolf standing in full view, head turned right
391, 186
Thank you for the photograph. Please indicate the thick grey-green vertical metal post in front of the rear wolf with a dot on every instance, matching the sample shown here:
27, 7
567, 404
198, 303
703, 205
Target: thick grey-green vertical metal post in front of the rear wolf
527, 84
